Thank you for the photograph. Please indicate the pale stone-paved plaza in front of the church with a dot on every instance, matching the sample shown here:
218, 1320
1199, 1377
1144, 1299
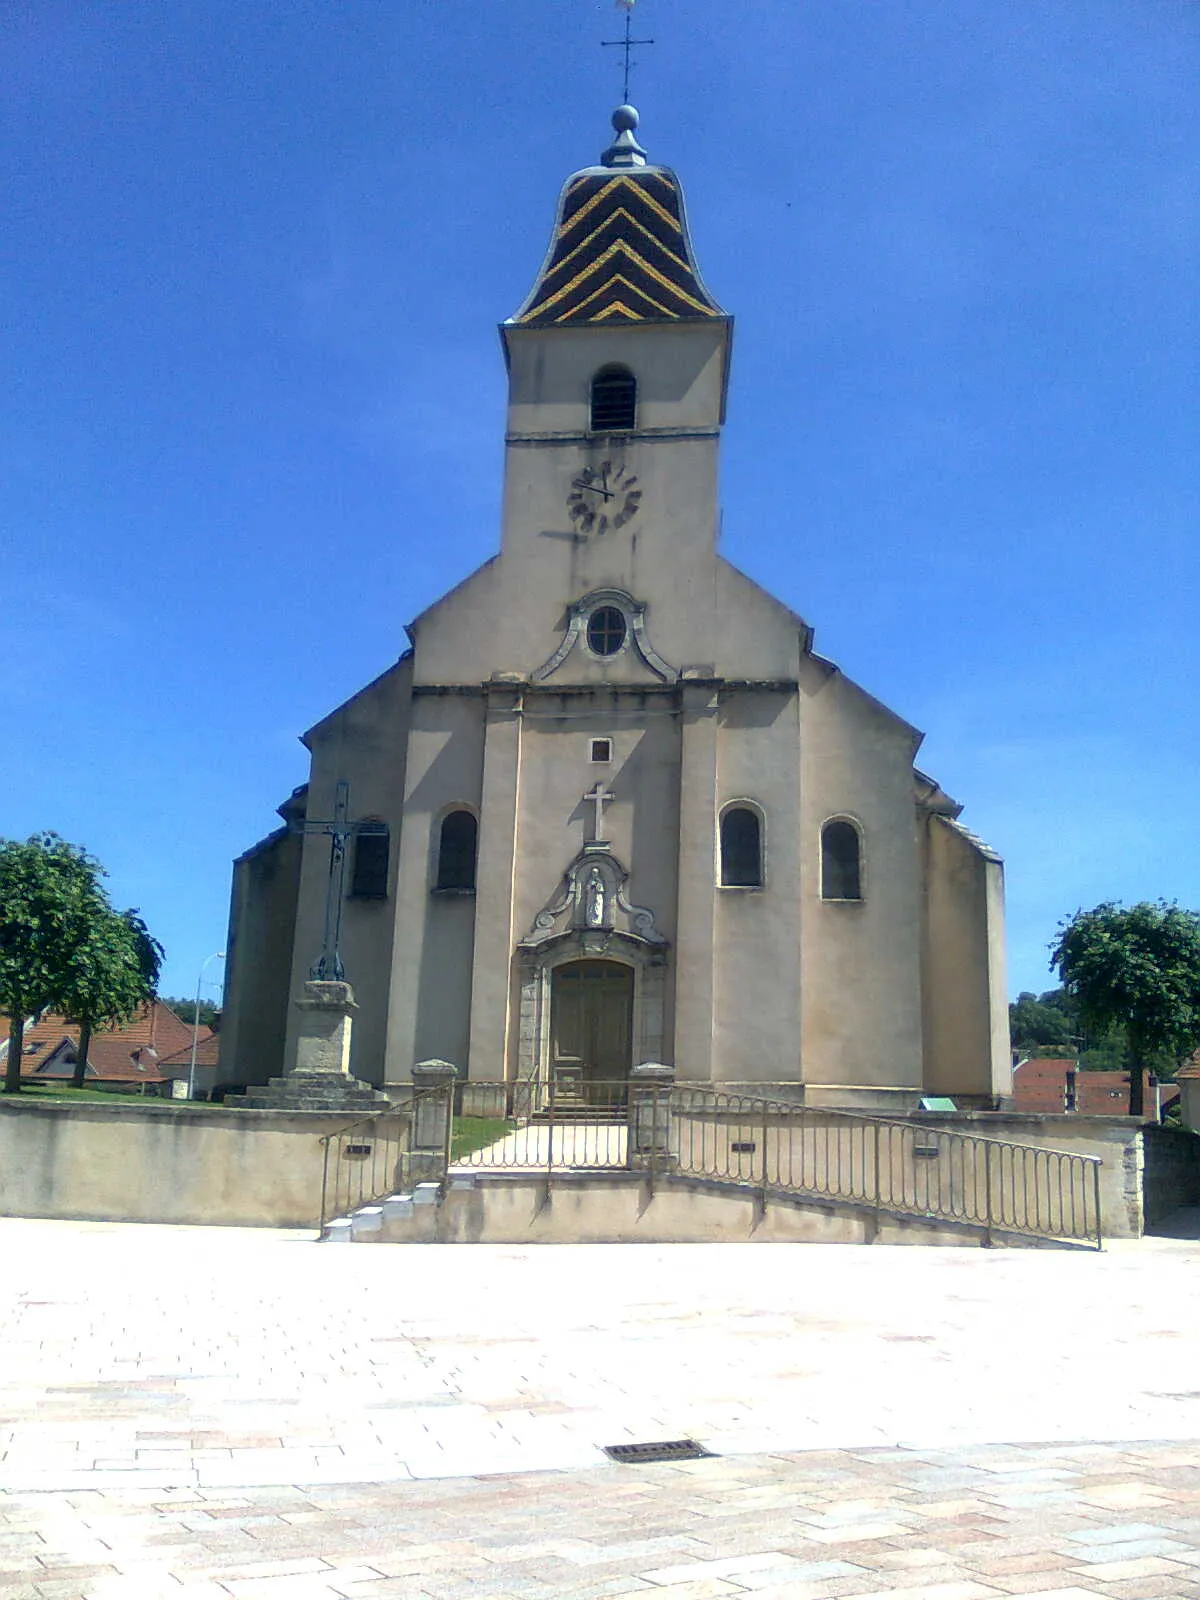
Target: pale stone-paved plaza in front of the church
239, 1414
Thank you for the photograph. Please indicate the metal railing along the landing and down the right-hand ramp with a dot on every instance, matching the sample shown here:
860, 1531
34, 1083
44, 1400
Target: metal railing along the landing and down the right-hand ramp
895, 1169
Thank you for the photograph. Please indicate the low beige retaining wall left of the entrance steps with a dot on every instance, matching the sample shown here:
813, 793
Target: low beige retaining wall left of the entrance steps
164, 1164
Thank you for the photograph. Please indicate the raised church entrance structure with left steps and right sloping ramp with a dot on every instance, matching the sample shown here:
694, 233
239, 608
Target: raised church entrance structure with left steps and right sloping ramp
694, 1164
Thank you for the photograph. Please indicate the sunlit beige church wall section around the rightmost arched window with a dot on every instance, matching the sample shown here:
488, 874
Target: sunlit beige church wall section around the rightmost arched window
862, 961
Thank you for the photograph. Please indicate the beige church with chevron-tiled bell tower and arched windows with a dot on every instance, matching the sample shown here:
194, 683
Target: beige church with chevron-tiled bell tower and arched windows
612, 807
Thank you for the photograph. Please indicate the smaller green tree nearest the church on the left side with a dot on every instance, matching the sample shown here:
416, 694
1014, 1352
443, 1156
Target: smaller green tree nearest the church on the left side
113, 974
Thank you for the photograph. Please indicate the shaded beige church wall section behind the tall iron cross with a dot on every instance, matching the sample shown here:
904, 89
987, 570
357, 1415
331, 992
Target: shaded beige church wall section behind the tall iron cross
364, 743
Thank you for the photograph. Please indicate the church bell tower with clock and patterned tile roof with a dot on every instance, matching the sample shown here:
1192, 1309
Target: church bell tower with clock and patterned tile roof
618, 367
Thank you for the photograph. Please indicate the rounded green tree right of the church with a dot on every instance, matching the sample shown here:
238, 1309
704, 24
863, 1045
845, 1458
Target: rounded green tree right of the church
1135, 969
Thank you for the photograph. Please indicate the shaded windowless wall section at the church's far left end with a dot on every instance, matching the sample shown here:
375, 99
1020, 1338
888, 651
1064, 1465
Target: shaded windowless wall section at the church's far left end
258, 961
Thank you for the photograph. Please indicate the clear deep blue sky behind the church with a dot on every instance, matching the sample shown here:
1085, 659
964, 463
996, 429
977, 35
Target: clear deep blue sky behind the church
254, 263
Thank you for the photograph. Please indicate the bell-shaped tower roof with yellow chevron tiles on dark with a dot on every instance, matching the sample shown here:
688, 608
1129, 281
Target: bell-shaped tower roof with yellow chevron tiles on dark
620, 250
